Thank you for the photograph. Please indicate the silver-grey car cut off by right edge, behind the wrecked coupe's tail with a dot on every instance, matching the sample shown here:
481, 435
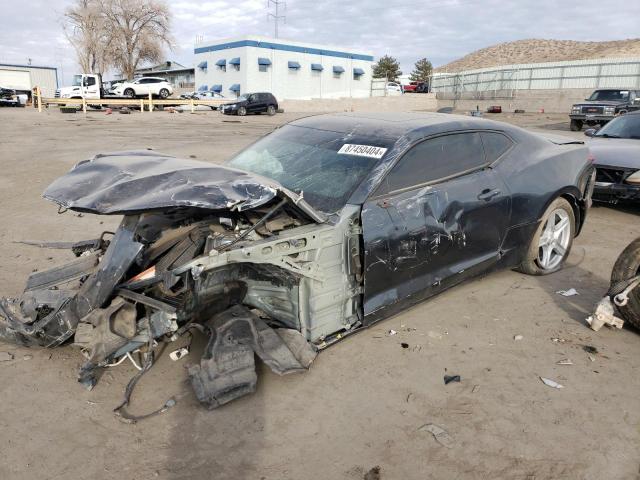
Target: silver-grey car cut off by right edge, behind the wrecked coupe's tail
616, 152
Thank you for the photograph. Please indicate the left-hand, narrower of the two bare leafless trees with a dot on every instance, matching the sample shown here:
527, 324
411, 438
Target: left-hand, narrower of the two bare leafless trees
85, 27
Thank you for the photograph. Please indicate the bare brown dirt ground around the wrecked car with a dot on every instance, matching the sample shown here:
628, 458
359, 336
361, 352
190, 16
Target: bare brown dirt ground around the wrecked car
364, 400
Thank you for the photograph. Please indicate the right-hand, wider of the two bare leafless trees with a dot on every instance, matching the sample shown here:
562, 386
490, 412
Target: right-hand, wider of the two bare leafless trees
138, 30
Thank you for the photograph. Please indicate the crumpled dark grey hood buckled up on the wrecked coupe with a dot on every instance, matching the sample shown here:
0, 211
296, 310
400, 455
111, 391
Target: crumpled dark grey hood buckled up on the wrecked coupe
127, 183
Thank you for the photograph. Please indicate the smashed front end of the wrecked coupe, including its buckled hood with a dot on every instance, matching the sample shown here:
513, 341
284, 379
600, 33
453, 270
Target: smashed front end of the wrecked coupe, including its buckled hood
264, 275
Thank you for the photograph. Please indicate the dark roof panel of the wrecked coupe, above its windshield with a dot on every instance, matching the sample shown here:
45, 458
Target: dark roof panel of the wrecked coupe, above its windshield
396, 125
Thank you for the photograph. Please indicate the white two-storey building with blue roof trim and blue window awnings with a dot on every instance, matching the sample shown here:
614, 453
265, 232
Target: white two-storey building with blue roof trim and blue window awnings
289, 70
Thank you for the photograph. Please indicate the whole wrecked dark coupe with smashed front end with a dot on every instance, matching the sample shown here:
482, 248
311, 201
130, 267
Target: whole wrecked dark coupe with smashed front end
322, 227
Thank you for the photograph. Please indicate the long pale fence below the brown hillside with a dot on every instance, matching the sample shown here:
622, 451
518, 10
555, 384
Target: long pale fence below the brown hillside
505, 81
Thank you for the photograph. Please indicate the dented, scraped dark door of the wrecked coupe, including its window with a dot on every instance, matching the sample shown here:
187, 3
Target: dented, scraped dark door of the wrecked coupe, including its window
438, 217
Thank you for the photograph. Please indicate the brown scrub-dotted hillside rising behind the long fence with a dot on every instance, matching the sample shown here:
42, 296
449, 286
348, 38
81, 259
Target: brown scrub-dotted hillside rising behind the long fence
537, 51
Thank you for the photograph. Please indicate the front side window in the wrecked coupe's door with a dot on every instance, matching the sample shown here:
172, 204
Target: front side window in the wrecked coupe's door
437, 158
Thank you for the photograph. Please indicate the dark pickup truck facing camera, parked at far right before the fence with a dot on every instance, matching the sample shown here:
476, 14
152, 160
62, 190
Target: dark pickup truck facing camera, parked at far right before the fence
603, 106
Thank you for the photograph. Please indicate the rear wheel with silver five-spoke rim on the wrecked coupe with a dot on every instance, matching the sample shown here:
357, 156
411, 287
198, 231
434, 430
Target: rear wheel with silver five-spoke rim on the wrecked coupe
552, 241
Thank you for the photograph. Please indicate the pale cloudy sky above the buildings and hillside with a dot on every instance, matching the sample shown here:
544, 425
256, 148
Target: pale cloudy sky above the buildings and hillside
440, 30
